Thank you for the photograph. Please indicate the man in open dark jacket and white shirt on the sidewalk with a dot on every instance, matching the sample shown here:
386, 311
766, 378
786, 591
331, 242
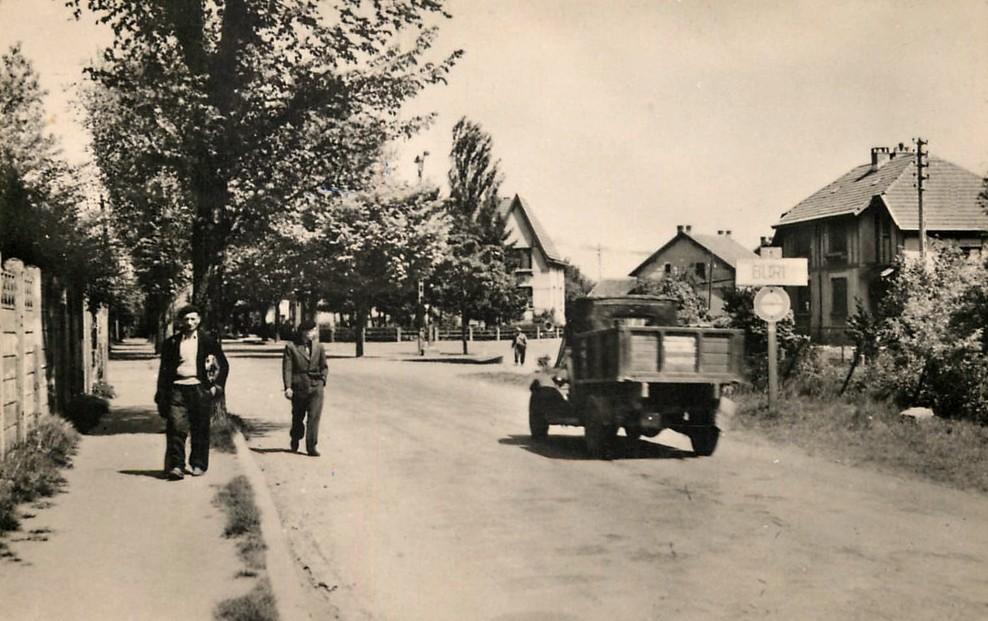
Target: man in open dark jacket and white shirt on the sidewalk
192, 372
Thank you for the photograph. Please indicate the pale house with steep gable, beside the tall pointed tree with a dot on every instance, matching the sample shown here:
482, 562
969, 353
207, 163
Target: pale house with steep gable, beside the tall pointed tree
538, 266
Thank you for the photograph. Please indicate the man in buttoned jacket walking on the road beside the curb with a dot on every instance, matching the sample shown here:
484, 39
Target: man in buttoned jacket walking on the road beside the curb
303, 370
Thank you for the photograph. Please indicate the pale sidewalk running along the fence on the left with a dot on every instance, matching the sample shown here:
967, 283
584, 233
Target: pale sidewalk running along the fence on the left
121, 542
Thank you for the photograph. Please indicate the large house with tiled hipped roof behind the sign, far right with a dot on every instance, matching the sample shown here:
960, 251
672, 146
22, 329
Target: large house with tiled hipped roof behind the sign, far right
852, 229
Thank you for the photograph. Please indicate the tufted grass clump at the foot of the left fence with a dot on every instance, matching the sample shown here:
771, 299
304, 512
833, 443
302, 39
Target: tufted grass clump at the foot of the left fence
32, 469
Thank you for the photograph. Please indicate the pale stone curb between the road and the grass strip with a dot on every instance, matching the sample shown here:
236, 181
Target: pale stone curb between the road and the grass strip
286, 582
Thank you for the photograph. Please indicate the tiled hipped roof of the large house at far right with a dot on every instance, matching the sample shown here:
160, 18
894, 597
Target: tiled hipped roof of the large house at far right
950, 199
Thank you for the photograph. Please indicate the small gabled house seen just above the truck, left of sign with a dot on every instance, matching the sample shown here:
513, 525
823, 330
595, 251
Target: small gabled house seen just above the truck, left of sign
710, 259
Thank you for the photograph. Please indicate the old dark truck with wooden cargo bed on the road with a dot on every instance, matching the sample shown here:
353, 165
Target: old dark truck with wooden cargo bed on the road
626, 363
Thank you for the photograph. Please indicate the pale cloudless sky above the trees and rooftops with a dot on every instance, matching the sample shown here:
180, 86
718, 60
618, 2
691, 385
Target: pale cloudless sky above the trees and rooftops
617, 120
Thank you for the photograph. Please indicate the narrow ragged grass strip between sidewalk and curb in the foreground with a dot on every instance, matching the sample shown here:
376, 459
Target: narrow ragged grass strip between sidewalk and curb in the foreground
243, 523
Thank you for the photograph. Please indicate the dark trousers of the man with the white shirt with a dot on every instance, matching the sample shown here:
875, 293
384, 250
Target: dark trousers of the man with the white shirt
189, 411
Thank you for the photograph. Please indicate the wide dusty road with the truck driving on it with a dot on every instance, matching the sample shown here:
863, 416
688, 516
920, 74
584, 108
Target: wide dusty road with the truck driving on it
430, 502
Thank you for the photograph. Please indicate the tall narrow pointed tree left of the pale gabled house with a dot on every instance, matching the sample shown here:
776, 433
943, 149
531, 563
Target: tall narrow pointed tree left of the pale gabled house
473, 280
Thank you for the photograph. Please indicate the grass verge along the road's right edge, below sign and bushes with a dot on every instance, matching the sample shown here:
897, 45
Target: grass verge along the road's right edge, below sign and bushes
864, 431
